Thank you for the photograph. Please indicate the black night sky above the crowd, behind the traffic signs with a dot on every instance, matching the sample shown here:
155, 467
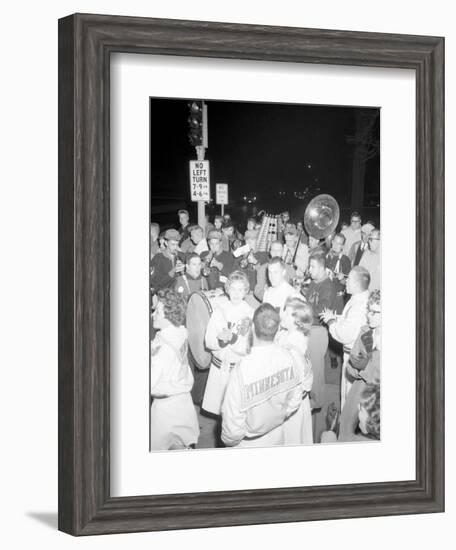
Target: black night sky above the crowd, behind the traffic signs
257, 148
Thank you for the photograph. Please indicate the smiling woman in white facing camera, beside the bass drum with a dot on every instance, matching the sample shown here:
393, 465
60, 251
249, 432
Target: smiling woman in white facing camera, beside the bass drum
227, 337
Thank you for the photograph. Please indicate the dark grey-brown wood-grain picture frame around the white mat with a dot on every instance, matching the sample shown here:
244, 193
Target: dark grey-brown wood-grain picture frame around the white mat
85, 45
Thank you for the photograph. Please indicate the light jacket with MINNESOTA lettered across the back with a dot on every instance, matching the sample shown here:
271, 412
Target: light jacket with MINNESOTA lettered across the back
263, 391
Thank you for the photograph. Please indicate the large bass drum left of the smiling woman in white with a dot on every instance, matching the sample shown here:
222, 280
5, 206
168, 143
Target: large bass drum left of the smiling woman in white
199, 309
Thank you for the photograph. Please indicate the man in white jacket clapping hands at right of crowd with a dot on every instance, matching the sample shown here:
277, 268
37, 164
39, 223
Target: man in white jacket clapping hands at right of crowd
345, 328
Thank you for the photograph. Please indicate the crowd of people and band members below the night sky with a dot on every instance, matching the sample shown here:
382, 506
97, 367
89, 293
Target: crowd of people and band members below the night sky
276, 313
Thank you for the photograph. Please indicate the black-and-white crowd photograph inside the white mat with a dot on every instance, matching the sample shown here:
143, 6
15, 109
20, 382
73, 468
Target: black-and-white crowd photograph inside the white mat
265, 274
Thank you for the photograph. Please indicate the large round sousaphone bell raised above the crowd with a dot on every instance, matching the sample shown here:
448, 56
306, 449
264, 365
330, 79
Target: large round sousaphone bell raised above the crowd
321, 216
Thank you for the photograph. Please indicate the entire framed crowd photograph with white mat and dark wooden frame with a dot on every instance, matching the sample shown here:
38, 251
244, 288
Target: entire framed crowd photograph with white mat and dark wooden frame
231, 340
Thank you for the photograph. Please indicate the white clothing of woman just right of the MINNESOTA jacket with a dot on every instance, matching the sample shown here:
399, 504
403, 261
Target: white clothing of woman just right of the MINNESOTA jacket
298, 426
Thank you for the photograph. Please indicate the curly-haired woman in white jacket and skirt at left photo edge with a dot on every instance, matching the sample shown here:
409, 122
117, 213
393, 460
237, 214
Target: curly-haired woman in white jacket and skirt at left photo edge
173, 420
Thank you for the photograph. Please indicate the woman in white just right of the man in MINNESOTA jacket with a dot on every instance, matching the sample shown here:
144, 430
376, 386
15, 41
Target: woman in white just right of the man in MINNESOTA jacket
296, 321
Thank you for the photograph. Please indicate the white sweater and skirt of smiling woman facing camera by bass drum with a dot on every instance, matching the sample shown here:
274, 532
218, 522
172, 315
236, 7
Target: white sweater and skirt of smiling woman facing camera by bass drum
225, 356
